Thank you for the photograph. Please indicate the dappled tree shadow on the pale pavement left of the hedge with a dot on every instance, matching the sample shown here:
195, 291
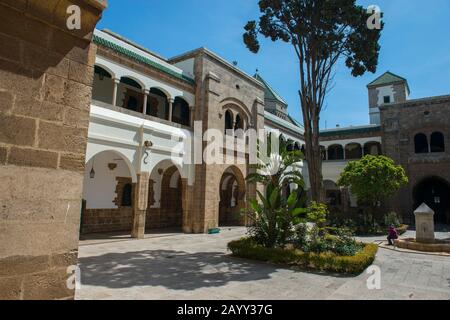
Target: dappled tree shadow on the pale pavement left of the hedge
177, 270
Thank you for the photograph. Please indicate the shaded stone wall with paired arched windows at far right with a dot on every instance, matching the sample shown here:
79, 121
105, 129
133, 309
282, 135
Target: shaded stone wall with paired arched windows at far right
400, 123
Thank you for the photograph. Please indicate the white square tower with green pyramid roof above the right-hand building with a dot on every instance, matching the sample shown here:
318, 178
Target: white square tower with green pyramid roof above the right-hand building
388, 88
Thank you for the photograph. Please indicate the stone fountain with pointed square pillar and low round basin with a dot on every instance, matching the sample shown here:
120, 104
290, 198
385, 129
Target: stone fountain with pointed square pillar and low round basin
425, 239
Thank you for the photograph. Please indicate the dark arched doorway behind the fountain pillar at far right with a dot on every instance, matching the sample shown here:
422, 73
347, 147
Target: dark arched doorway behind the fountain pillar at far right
435, 192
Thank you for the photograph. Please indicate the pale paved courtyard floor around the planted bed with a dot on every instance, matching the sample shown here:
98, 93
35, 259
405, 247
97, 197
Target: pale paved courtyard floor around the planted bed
187, 266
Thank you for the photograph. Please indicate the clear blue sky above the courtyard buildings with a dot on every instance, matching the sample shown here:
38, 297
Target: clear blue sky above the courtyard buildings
415, 44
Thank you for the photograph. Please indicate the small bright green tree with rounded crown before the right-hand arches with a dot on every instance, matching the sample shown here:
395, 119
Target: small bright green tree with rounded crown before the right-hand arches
373, 179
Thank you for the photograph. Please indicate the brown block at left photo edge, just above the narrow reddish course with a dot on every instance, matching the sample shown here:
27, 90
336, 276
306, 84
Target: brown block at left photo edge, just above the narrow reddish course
17, 130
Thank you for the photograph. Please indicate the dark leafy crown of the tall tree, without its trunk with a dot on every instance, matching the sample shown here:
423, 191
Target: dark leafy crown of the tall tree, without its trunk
328, 27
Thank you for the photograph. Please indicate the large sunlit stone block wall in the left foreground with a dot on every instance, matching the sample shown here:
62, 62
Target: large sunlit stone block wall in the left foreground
45, 91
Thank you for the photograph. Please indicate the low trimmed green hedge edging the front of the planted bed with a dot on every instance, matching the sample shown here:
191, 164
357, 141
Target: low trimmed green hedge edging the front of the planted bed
246, 248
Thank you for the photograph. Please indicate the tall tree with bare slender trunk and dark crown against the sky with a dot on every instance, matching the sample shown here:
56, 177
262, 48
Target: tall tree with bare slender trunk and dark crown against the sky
321, 32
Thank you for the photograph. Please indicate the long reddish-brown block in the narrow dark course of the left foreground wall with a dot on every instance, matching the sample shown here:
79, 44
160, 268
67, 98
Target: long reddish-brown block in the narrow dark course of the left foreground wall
33, 158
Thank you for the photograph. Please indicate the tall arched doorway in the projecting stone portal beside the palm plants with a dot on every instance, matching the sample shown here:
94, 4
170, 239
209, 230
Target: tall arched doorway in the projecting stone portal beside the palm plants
232, 198
